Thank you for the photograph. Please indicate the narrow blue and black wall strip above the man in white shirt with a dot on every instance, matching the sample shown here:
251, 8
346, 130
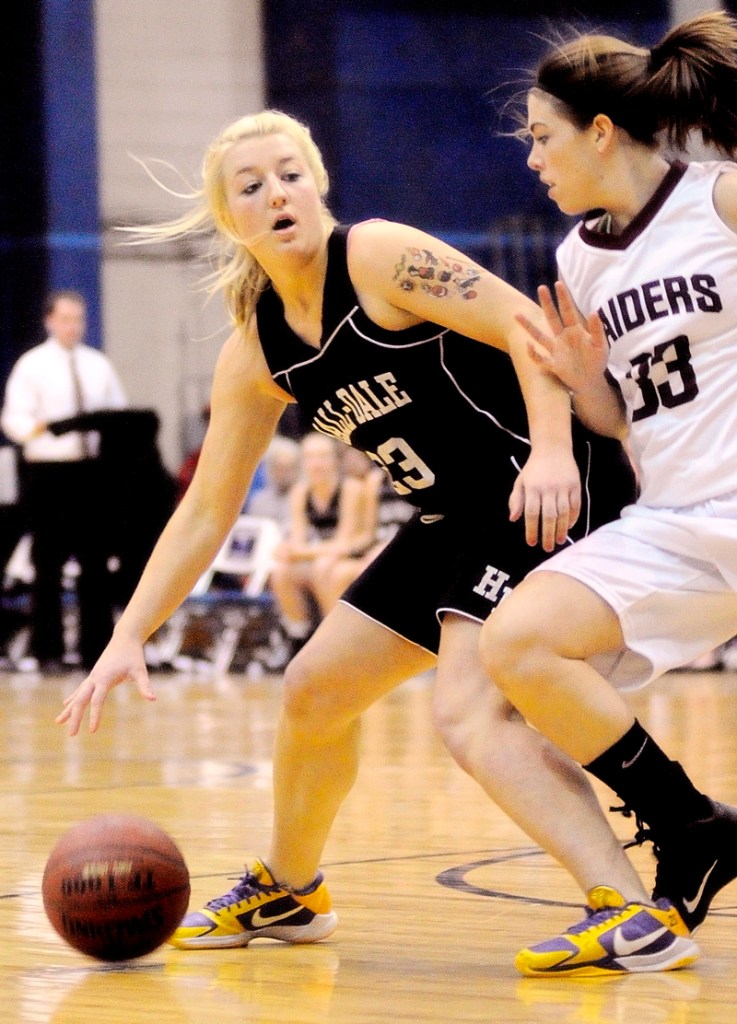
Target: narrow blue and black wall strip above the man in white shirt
50, 223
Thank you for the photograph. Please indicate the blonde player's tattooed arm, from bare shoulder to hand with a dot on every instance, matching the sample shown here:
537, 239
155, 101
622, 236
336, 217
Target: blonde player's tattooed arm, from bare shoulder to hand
405, 277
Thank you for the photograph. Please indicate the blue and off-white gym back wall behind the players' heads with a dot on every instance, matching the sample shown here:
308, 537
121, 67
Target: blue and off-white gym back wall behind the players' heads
410, 102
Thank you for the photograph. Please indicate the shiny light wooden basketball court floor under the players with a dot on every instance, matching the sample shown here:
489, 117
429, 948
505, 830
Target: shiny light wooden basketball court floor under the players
436, 889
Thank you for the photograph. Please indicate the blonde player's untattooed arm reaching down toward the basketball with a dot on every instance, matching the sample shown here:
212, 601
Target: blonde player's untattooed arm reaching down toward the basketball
245, 410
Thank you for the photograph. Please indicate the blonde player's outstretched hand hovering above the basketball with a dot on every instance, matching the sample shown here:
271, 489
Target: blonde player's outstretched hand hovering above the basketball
120, 661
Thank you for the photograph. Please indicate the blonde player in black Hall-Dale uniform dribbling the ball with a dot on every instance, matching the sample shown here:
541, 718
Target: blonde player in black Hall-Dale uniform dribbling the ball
400, 346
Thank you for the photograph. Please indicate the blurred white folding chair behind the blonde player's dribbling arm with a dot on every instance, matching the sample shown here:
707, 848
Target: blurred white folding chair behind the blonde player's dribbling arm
230, 608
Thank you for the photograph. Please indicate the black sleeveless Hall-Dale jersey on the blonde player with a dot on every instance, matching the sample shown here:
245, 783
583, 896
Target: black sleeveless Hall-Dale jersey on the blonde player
442, 413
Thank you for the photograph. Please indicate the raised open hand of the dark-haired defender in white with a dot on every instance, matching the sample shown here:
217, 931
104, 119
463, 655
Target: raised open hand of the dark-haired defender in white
576, 351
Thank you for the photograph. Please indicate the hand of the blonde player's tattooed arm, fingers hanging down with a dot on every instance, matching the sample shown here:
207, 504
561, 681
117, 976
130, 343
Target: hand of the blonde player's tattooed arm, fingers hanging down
548, 494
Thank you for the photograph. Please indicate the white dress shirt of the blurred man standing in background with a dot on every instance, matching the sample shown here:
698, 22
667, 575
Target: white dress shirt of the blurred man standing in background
40, 390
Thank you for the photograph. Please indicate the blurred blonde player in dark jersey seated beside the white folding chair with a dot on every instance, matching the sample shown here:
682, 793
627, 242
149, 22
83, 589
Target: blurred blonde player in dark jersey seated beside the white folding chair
326, 509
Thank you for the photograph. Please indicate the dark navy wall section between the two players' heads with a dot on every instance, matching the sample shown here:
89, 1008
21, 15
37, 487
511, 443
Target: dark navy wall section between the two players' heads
407, 102
